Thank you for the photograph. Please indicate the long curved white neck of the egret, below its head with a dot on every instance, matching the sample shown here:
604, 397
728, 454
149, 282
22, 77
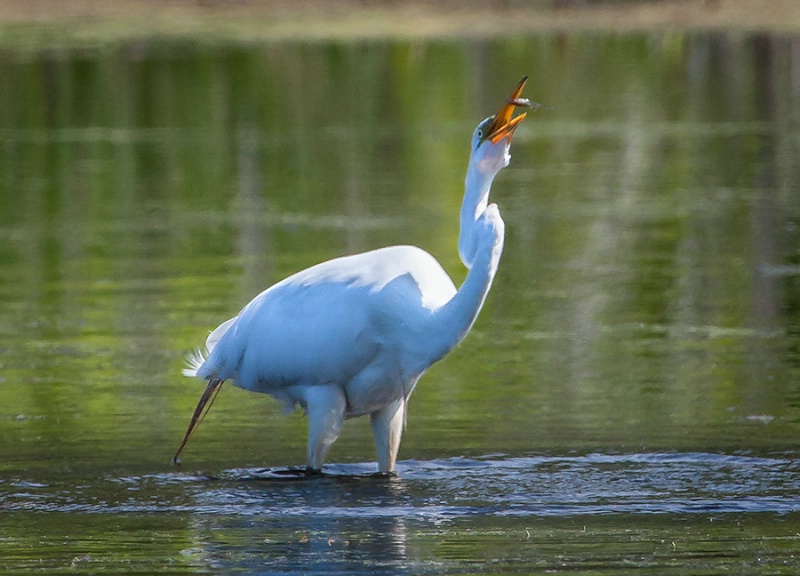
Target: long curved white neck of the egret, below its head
480, 246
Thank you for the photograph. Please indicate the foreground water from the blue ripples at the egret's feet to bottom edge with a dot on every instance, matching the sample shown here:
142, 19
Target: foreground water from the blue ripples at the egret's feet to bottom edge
597, 511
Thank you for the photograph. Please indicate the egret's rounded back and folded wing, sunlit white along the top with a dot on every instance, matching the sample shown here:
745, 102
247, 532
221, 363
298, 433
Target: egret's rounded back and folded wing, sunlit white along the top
328, 322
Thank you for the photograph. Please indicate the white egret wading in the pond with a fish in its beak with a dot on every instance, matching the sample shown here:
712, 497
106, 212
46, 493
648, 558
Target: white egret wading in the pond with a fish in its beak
353, 335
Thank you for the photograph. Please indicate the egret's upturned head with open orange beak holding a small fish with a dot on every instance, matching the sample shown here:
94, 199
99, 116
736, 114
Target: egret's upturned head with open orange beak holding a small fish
491, 140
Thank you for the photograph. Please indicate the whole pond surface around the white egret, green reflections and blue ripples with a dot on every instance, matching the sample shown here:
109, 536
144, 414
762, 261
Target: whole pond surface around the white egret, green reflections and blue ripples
628, 401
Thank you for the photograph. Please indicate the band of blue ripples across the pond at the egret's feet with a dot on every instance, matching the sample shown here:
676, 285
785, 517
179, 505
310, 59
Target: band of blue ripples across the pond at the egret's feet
439, 490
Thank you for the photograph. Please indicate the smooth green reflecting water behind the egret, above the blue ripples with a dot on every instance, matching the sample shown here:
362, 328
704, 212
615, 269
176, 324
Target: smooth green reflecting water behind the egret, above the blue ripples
647, 297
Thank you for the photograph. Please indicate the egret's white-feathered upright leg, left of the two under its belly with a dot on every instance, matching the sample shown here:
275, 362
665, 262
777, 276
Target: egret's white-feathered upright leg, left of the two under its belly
325, 408
